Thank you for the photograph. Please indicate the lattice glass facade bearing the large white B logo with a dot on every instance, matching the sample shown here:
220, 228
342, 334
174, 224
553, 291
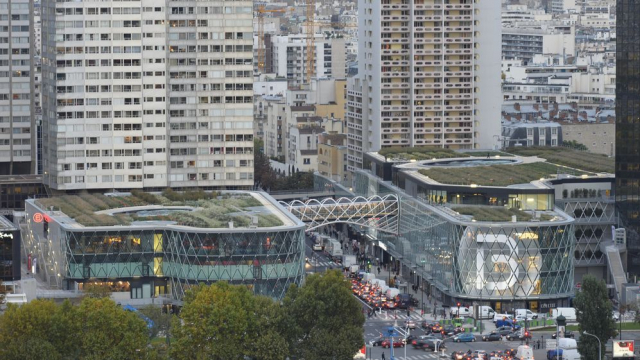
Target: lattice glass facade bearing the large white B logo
463, 259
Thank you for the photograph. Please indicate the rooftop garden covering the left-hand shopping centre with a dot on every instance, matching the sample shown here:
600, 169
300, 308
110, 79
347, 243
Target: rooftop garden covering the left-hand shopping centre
211, 210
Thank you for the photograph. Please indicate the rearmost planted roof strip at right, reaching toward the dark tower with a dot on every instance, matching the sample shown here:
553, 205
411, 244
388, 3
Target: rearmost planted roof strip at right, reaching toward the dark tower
581, 160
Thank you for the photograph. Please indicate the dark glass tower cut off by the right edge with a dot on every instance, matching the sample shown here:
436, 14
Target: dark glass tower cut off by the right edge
627, 191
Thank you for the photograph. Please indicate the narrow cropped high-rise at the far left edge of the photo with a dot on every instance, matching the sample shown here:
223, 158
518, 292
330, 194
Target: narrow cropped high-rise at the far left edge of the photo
17, 121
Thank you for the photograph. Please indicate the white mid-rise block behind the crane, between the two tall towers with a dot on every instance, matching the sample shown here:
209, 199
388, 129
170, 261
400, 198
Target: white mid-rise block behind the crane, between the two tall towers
290, 57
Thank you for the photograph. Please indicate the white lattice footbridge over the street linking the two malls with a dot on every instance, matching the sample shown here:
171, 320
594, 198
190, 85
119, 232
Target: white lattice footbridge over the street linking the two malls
379, 212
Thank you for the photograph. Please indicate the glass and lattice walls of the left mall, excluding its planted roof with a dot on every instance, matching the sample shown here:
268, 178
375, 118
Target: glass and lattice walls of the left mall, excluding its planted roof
161, 259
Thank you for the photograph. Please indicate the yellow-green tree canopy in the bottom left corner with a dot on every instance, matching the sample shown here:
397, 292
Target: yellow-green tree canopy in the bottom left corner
97, 329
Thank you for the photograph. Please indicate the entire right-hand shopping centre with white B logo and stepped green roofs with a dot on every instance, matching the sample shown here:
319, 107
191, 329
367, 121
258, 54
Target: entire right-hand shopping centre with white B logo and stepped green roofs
493, 228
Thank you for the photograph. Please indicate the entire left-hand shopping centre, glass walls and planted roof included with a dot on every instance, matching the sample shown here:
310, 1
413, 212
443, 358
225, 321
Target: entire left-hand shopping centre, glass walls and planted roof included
147, 245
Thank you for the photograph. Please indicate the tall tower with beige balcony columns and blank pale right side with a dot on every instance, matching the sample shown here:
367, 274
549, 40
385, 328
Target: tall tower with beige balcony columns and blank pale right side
429, 72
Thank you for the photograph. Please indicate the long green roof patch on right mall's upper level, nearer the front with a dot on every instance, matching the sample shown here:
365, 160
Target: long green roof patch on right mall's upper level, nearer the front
495, 175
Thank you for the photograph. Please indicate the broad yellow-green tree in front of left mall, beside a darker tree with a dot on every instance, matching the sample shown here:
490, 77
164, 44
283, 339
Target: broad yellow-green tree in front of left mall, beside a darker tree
222, 321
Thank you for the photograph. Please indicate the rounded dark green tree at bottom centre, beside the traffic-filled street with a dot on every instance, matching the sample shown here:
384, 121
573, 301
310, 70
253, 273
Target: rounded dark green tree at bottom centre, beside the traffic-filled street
324, 320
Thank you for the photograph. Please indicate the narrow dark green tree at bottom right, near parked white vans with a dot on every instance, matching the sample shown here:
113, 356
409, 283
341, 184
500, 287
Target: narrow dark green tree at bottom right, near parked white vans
595, 315
